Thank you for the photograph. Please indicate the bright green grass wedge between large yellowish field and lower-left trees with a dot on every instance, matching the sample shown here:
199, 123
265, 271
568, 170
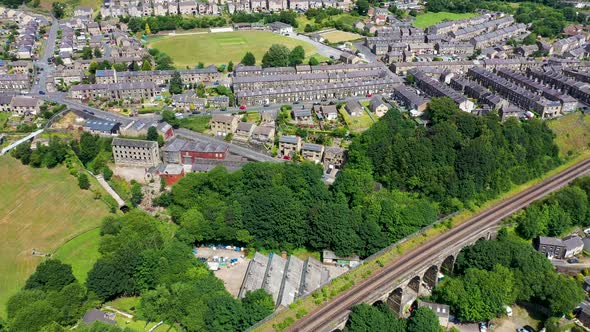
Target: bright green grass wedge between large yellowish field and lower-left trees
81, 252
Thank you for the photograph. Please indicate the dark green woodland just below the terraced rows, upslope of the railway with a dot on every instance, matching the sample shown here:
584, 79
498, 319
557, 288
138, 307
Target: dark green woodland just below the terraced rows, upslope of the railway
460, 160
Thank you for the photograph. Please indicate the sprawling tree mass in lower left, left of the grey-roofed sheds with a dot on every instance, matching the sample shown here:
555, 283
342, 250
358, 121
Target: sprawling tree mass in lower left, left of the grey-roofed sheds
139, 256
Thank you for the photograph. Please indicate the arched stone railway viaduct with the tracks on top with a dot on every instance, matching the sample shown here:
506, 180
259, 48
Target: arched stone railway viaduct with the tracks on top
416, 272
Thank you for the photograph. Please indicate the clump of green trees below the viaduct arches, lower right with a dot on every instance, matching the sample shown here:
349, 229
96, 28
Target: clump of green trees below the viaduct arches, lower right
491, 274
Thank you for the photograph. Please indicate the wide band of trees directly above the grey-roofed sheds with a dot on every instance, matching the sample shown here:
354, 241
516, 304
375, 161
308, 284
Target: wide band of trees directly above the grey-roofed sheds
286, 206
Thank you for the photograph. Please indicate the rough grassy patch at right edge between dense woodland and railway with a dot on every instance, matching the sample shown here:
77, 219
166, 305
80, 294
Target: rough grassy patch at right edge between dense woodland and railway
572, 133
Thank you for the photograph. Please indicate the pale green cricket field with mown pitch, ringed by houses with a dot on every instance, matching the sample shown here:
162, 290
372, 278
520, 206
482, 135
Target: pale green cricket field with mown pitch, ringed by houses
220, 48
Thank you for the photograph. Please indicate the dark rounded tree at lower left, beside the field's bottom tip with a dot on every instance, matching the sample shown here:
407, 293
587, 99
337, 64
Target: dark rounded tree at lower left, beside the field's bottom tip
51, 275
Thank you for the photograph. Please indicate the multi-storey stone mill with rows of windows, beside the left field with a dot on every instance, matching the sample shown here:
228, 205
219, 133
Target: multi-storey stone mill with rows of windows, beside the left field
130, 152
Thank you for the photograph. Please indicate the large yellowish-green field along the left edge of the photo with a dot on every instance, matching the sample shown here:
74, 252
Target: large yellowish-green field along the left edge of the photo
39, 209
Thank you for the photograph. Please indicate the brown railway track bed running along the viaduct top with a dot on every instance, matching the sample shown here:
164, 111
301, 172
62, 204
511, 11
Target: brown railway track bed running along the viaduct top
321, 319
